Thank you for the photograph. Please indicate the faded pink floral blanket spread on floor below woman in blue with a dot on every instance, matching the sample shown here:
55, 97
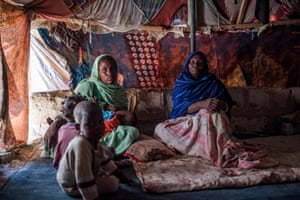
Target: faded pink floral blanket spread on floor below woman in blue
187, 173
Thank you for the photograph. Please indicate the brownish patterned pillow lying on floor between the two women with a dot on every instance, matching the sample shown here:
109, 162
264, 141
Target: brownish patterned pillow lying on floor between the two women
148, 150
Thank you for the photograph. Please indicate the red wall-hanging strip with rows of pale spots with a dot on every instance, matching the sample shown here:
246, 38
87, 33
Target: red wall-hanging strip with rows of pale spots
144, 56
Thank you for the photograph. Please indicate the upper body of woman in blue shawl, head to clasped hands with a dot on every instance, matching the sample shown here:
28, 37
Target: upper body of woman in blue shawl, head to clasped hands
196, 88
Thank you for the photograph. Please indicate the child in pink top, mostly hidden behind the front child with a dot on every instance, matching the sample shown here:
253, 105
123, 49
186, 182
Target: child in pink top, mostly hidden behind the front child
68, 130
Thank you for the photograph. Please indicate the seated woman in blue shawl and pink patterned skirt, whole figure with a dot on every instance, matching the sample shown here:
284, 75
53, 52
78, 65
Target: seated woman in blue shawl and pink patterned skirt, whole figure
199, 123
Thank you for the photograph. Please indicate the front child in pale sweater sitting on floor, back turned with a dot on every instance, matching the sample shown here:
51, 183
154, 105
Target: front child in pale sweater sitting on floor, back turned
85, 169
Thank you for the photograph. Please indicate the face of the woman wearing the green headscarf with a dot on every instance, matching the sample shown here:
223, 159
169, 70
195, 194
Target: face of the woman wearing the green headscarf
107, 72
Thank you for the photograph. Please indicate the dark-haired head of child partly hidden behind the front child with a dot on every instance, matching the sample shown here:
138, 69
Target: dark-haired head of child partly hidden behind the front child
69, 104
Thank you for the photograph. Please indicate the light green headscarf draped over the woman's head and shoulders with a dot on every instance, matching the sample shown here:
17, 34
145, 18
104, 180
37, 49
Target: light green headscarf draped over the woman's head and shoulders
106, 94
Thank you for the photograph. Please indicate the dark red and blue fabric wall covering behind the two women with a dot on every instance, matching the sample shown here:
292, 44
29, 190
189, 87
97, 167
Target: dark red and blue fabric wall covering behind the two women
268, 59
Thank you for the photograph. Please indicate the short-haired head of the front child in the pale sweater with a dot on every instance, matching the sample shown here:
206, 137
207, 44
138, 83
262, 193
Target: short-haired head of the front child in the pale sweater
88, 115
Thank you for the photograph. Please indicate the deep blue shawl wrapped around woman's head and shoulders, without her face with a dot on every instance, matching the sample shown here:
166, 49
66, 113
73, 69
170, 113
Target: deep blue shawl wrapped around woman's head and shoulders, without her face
187, 90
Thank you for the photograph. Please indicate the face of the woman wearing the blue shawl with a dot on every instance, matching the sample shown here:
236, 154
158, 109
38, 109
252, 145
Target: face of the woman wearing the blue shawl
197, 67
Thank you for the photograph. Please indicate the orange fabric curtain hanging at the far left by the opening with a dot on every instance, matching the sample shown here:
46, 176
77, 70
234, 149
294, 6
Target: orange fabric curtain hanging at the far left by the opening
15, 40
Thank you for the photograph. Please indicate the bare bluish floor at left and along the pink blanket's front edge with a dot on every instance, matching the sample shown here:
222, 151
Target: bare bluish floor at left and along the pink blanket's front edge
33, 178
